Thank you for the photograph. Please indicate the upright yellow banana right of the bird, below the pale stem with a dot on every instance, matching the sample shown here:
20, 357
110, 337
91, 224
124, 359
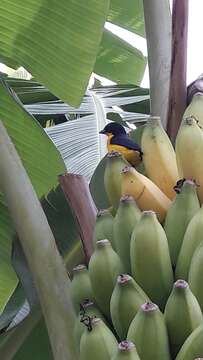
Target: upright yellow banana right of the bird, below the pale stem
159, 157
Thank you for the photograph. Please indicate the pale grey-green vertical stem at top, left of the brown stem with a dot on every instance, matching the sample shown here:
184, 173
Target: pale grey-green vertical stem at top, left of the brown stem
158, 33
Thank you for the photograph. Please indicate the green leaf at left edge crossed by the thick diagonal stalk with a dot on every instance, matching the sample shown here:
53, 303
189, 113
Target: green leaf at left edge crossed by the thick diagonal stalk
43, 164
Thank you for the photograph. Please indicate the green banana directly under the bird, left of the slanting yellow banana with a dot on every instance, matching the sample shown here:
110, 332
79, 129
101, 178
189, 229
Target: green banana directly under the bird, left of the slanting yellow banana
112, 177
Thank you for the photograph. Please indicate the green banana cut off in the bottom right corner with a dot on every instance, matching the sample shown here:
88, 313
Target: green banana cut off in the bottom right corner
193, 346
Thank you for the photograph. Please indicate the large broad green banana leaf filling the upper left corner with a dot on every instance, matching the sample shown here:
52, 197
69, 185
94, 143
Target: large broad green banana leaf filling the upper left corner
40, 36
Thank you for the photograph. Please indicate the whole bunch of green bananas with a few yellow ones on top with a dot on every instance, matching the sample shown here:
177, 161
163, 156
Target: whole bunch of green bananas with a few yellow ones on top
141, 296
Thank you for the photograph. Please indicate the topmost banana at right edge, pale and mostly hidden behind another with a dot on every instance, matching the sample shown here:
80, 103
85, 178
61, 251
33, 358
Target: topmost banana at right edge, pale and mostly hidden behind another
195, 108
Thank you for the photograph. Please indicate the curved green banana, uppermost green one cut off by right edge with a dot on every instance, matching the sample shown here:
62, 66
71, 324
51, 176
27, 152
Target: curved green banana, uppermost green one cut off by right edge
192, 238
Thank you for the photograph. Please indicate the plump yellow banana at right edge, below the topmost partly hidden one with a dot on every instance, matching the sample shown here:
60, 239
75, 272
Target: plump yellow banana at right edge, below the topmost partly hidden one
189, 150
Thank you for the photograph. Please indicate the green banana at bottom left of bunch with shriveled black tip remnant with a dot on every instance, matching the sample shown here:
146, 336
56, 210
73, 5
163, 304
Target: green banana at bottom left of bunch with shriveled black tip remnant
97, 342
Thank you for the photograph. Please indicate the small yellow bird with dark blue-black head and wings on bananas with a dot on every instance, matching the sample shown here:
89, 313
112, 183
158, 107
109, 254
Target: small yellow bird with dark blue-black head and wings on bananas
118, 140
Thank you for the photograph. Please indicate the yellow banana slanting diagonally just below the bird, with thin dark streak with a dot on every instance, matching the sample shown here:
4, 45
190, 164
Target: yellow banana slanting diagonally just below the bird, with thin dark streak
146, 194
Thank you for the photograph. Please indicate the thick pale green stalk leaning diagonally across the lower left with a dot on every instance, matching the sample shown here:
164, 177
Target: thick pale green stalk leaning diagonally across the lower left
40, 249
